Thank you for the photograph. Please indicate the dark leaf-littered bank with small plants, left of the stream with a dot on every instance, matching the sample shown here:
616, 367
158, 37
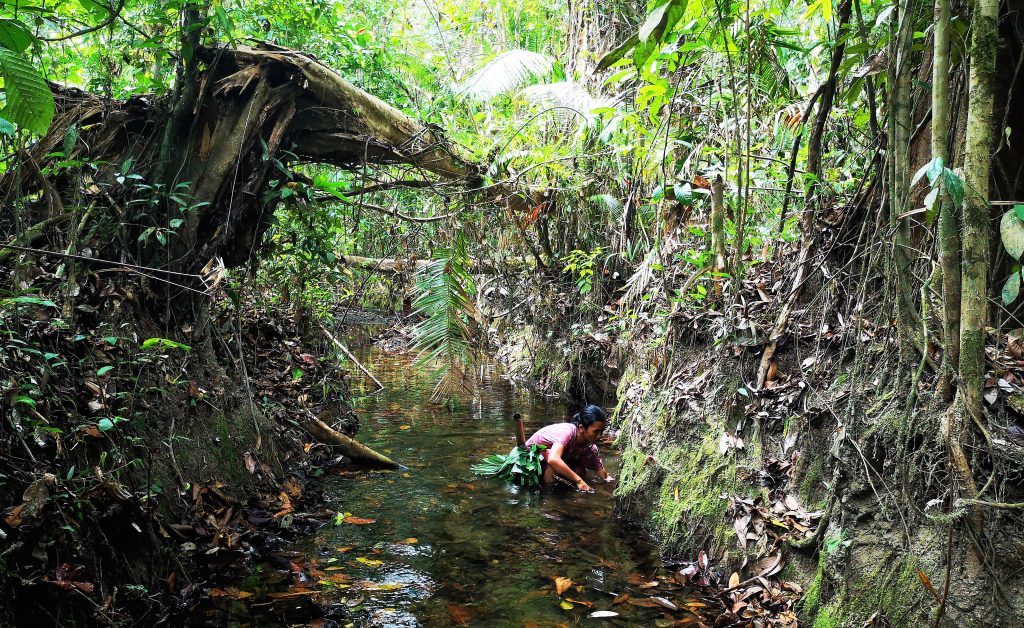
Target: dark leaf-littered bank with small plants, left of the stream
88, 384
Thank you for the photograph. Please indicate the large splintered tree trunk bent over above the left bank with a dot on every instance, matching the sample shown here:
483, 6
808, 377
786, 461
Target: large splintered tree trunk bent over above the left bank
255, 112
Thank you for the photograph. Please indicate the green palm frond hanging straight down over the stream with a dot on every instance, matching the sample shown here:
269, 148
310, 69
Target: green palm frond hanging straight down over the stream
445, 338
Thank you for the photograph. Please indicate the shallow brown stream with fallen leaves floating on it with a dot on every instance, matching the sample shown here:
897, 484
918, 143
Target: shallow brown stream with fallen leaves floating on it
446, 548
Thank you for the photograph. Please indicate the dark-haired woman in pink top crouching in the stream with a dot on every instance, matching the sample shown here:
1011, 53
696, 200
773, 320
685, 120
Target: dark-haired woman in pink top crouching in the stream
571, 448
